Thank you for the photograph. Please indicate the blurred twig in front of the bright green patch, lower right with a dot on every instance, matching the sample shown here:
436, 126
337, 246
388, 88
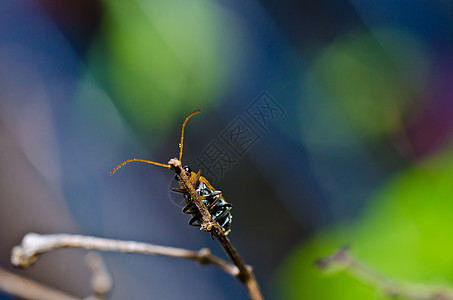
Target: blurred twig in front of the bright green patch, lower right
342, 260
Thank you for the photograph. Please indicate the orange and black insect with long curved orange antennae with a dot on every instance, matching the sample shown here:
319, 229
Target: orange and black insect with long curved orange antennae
212, 198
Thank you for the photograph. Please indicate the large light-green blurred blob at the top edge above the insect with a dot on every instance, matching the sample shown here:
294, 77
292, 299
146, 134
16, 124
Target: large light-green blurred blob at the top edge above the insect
164, 59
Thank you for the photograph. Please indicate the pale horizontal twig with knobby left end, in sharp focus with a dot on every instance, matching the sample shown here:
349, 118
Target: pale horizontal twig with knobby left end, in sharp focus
33, 245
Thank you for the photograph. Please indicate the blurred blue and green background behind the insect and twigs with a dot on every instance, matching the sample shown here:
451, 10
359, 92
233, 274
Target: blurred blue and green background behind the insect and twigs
345, 113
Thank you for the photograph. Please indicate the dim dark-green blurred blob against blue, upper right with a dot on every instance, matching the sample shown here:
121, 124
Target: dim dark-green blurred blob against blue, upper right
368, 77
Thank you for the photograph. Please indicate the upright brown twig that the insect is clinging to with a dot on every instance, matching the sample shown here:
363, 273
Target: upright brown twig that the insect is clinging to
245, 275
